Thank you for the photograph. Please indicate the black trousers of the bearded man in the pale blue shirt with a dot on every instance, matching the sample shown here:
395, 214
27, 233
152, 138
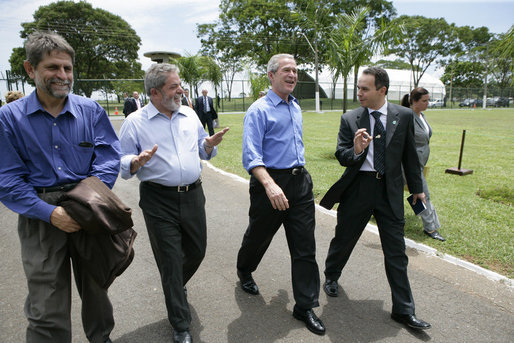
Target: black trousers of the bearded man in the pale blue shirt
177, 230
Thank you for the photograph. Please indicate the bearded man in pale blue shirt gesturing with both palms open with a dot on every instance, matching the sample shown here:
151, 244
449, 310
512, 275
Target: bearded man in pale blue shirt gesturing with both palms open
162, 144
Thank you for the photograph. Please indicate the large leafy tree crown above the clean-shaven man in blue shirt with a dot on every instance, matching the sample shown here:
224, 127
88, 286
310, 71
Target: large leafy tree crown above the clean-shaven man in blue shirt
259, 29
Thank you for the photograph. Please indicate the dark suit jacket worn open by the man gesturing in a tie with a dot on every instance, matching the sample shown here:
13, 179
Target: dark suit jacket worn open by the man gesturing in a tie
400, 149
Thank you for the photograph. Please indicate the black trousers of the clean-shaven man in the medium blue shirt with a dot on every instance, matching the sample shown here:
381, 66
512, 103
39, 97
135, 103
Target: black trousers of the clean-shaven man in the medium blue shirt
299, 224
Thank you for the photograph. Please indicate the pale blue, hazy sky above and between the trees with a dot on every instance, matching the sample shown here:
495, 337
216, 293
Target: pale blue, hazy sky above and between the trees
170, 25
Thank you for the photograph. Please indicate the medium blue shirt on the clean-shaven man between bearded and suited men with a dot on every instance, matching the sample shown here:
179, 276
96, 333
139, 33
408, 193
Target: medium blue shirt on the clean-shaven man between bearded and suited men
272, 134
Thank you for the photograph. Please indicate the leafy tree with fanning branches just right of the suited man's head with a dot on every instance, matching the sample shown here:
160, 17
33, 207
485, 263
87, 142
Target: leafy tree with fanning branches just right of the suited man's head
425, 41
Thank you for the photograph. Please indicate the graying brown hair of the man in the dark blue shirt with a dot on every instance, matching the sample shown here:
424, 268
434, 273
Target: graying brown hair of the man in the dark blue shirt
39, 44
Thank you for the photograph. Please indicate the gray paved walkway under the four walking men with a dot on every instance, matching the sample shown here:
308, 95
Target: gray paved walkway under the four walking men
462, 305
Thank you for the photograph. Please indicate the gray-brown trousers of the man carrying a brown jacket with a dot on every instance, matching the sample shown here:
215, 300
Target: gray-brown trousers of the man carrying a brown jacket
46, 259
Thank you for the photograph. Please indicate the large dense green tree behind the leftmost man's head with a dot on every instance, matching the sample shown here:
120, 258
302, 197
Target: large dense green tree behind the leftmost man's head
105, 44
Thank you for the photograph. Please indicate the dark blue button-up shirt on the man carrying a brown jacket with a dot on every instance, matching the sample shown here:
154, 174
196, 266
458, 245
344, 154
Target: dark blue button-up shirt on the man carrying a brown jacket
39, 150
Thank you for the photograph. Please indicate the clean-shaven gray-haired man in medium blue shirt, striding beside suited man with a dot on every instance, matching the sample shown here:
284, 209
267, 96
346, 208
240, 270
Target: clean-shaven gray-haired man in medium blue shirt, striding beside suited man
280, 190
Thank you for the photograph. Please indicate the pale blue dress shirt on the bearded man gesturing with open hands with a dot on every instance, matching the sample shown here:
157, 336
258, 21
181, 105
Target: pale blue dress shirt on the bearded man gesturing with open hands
180, 143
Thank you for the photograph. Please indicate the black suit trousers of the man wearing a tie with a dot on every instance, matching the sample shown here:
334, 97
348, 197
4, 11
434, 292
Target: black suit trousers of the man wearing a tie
367, 196
